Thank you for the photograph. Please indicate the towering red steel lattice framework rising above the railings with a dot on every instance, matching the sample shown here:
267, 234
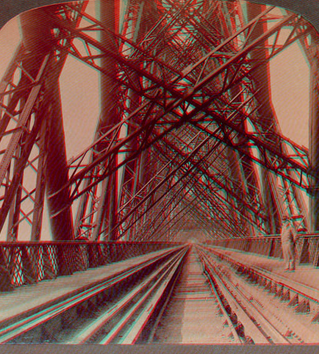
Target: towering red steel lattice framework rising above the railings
186, 137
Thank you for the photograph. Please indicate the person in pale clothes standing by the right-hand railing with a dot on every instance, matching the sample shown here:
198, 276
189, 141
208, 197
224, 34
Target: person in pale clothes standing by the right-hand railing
288, 240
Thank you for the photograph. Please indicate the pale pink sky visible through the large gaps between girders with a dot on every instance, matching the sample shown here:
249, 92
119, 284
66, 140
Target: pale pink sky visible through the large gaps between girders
289, 76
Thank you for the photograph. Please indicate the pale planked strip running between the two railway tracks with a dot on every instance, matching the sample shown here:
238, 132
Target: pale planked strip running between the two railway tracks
194, 314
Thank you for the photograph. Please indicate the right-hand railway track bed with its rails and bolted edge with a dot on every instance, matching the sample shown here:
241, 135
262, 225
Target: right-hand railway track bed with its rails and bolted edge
271, 309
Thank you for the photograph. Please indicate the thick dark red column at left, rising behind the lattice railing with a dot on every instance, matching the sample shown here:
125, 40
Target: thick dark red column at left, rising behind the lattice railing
37, 38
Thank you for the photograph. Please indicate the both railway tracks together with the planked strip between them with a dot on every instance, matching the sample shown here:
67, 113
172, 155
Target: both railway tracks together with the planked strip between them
186, 295
